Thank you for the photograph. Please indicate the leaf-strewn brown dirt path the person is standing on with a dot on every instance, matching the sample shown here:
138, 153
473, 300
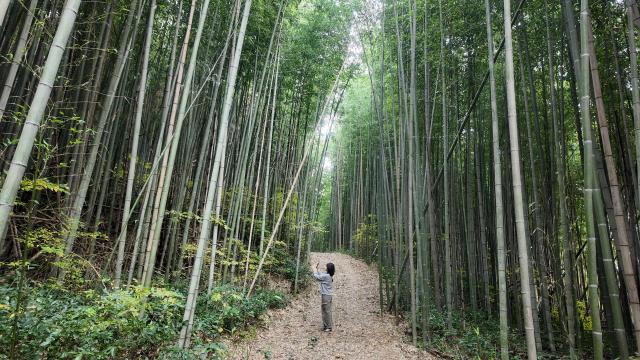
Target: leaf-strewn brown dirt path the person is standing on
359, 331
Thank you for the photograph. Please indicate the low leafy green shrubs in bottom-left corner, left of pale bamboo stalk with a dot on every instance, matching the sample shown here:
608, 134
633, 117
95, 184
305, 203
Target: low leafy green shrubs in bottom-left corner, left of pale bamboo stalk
60, 324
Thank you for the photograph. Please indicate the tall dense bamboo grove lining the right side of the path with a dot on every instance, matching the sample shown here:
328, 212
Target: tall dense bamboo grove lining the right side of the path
452, 174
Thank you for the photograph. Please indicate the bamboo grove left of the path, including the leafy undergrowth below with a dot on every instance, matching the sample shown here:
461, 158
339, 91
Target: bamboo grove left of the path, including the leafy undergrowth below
159, 165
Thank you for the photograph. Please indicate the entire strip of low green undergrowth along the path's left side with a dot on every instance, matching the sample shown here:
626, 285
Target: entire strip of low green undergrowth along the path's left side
54, 323
